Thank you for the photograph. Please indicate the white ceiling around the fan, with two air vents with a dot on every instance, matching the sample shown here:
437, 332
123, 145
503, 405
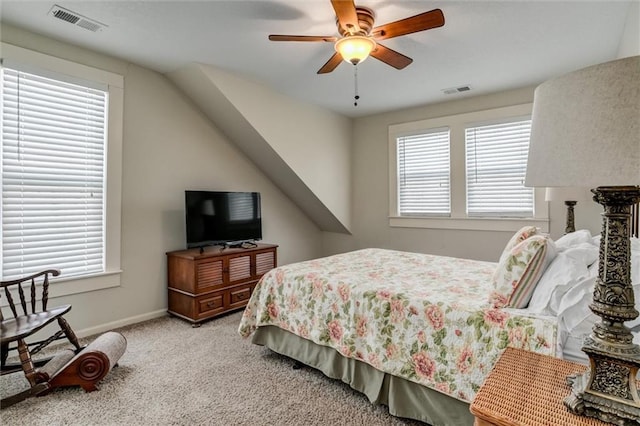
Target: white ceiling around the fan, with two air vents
490, 46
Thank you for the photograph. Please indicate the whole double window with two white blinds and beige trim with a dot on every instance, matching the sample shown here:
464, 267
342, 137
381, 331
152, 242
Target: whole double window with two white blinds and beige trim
464, 172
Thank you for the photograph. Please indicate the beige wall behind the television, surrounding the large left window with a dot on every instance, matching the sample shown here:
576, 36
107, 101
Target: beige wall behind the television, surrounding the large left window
169, 146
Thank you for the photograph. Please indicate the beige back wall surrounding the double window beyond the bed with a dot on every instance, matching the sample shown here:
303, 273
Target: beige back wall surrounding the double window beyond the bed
371, 191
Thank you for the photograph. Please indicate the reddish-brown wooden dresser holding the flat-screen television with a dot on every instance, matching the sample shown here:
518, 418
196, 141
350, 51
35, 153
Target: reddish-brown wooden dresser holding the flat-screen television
218, 280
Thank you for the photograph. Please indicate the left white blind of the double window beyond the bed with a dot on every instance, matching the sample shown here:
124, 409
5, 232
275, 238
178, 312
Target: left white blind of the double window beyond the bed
423, 174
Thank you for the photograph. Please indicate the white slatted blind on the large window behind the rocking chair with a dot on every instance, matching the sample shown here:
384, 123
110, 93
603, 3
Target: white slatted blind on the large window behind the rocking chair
53, 175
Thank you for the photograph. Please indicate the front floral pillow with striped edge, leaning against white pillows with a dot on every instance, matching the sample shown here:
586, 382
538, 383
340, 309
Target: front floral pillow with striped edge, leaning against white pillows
518, 272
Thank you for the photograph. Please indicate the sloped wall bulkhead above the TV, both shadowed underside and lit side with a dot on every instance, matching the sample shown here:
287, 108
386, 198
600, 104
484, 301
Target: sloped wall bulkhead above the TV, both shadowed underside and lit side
305, 150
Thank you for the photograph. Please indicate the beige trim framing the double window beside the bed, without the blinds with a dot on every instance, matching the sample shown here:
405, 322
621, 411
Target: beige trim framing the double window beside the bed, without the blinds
459, 219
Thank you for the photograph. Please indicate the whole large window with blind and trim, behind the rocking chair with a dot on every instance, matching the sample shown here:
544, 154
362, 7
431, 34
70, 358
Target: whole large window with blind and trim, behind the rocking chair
61, 144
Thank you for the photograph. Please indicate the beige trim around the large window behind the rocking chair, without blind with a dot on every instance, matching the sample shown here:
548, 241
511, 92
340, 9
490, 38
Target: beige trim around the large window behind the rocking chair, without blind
50, 66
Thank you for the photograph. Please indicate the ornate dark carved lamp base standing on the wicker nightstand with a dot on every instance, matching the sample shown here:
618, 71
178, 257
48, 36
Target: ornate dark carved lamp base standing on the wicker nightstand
609, 390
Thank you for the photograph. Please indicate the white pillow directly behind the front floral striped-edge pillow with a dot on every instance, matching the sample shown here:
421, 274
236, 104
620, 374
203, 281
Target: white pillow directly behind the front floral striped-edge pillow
563, 272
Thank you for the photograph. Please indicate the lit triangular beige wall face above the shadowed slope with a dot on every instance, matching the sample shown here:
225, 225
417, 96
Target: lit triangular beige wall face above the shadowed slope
313, 141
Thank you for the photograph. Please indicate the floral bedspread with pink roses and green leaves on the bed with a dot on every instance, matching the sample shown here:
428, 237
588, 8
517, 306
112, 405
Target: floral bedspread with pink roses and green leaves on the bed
425, 318
